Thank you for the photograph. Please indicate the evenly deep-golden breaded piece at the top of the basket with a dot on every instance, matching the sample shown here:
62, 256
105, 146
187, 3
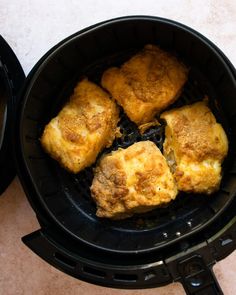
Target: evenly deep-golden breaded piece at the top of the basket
147, 83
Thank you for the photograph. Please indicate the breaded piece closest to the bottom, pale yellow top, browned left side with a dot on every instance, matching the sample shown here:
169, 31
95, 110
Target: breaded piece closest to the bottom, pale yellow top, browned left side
132, 180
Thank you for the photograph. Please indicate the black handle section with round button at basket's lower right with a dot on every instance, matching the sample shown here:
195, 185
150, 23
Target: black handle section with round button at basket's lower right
193, 267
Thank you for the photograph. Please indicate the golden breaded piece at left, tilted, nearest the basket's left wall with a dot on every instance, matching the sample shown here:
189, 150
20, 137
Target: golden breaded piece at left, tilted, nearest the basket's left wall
85, 125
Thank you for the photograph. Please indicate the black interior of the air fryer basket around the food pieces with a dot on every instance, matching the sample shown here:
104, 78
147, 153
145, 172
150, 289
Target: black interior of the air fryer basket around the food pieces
67, 197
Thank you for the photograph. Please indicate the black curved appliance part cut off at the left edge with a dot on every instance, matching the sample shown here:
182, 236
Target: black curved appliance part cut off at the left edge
12, 79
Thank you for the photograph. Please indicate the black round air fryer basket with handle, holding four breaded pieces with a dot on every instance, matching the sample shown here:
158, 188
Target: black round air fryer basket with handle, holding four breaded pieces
178, 243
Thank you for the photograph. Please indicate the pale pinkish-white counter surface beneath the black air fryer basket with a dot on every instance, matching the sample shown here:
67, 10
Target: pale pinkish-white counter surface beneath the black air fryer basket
31, 28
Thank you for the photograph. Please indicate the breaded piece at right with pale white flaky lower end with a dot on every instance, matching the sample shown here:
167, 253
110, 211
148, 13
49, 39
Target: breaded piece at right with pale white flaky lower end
195, 147
